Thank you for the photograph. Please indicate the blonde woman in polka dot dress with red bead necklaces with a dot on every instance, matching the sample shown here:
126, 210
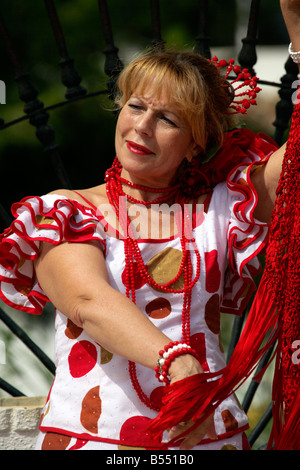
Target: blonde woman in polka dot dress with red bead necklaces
122, 289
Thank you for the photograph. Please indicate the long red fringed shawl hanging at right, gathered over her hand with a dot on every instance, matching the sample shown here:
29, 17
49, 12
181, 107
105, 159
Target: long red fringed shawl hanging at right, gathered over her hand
274, 315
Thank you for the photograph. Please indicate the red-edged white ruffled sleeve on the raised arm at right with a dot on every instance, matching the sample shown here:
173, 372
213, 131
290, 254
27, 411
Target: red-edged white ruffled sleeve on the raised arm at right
247, 237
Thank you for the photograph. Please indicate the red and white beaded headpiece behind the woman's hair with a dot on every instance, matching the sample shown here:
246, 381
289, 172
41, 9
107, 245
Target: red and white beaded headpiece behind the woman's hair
240, 103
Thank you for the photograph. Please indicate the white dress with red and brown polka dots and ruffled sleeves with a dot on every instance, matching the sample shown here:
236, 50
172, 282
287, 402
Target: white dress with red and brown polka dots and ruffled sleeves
92, 397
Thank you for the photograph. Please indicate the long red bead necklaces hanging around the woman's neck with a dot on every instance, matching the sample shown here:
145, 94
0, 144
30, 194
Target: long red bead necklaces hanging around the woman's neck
114, 190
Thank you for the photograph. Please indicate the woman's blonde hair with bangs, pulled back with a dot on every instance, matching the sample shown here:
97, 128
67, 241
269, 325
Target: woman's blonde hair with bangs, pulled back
192, 83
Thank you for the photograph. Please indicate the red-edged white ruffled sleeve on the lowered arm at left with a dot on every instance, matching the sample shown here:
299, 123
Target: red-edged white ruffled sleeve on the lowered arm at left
51, 219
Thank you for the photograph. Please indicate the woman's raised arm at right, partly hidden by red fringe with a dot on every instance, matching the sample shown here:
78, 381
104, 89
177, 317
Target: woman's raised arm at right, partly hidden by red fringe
266, 180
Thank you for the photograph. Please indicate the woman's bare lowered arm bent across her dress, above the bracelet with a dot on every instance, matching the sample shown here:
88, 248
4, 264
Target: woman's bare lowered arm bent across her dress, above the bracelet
75, 278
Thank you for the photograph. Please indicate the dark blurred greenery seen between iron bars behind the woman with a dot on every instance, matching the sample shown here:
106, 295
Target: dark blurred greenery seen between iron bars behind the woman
85, 130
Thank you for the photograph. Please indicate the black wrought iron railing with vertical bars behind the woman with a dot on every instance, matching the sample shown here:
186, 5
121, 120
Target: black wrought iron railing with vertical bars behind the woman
37, 113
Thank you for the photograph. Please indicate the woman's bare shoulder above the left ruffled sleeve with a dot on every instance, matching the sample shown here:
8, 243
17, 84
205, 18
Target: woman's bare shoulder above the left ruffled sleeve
88, 197
